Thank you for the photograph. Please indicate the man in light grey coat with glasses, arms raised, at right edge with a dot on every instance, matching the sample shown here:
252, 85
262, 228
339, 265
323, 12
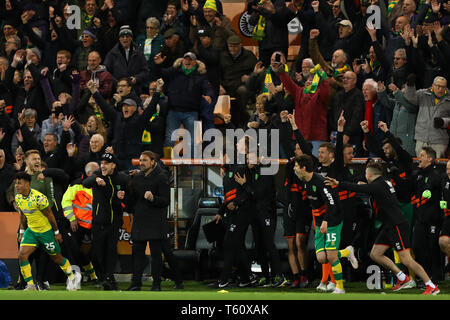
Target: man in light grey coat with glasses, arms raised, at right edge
431, 103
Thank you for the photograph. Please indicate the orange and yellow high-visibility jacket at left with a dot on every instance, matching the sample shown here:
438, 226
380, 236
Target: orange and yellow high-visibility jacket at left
77, 205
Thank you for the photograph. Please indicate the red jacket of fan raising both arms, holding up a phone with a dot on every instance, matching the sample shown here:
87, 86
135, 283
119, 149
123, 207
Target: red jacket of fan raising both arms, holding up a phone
310, 108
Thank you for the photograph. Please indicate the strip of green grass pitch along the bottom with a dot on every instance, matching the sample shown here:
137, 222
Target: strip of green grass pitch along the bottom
199, 291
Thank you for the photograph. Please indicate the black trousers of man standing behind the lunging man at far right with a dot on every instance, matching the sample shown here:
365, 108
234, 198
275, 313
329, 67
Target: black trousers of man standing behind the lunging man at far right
425, 243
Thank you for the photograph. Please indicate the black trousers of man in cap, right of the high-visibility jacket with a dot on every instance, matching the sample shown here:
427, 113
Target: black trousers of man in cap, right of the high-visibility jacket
104, 239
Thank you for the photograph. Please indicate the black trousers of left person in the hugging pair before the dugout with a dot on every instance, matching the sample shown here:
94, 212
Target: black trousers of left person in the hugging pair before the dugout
234, 251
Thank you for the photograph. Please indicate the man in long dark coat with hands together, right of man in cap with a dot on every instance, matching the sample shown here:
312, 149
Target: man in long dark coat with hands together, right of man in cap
150, 196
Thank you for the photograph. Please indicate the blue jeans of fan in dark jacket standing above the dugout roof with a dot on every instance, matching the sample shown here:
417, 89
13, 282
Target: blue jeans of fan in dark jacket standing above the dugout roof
173, 122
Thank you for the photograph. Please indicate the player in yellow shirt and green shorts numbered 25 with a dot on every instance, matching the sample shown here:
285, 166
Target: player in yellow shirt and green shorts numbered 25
41, 230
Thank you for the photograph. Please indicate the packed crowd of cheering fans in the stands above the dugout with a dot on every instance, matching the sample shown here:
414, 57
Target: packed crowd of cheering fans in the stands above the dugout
74, 94
